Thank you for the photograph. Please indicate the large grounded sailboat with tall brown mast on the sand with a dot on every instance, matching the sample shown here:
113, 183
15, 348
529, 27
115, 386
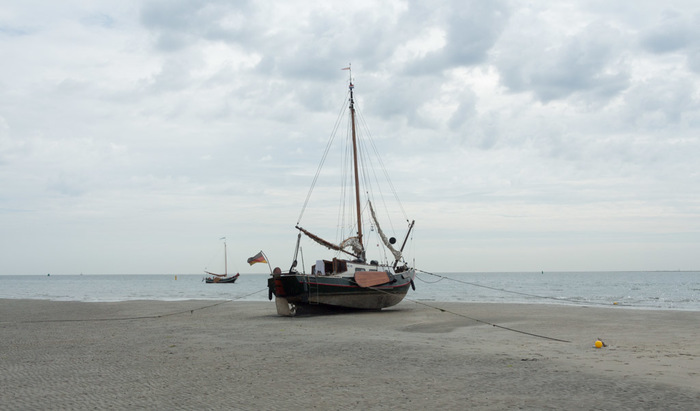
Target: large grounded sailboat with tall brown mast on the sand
349, 279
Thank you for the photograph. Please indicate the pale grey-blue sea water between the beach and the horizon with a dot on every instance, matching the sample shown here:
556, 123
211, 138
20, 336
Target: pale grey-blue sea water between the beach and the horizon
647, 290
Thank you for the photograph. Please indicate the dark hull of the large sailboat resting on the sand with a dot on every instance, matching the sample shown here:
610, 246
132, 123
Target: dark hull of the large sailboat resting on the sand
300, 289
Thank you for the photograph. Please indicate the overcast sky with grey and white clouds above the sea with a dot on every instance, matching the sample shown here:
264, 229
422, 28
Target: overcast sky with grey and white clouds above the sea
521, 136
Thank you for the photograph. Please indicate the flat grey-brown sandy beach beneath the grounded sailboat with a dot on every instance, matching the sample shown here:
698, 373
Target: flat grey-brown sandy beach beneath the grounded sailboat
241, 355
